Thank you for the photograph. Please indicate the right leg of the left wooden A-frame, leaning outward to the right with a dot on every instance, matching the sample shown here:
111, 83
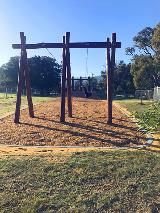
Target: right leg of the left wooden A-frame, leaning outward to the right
27, 77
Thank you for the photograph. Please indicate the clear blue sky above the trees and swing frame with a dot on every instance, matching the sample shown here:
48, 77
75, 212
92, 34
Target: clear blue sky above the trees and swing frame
87, 20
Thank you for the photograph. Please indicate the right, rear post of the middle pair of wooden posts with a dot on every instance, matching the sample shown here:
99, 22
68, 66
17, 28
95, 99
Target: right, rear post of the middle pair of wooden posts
69, 90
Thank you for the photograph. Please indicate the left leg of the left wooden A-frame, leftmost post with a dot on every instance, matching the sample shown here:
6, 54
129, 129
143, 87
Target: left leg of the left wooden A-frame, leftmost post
19, 87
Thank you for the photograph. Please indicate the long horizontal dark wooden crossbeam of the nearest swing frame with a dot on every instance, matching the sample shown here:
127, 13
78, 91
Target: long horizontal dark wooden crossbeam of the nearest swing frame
70, 45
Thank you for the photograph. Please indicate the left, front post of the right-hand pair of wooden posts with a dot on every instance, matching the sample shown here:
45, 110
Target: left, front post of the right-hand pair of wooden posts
109, 86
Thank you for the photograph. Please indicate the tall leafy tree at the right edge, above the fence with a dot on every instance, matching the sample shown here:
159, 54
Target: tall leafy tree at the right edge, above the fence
145, 66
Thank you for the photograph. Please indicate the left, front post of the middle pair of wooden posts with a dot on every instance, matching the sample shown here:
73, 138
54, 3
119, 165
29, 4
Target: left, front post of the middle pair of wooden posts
63, 83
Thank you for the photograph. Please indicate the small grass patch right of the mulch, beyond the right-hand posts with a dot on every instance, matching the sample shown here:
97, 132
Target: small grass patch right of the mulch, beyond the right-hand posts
134, 105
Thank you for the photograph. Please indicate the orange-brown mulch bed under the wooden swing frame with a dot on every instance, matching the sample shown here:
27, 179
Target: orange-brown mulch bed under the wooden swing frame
88, 127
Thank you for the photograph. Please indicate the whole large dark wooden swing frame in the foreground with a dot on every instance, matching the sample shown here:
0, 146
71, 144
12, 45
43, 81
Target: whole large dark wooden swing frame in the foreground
23, 74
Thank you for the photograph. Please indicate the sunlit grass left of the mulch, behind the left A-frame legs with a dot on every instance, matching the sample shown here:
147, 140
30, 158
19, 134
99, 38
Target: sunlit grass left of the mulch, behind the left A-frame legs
7, 105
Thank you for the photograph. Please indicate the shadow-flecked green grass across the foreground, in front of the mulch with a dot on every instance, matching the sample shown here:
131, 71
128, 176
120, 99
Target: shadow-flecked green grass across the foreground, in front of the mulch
104, 181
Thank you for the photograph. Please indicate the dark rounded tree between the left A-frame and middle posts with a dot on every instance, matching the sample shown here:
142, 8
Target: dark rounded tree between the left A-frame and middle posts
45, 74
